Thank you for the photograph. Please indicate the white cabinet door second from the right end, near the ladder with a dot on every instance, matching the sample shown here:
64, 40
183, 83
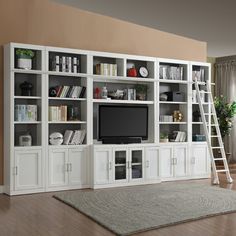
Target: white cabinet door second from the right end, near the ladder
180, 161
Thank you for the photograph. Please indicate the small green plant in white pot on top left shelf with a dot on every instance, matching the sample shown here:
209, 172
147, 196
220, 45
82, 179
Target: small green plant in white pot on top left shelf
24, 58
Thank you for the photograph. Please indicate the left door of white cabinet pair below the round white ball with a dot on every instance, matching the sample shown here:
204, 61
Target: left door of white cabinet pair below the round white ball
58, 168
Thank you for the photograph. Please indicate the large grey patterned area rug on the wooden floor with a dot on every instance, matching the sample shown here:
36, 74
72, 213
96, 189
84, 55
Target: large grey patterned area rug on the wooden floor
129, 210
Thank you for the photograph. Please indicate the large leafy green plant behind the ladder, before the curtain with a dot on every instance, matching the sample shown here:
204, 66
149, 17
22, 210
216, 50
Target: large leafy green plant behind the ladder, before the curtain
225, 112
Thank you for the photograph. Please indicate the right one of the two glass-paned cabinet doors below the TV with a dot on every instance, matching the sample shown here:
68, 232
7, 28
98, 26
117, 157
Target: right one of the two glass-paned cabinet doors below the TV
136, 164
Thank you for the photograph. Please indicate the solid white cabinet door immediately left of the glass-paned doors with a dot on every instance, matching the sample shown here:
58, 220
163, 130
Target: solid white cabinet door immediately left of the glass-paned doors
102, 165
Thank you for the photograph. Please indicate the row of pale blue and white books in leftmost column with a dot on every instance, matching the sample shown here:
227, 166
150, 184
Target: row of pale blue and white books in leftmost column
25, 113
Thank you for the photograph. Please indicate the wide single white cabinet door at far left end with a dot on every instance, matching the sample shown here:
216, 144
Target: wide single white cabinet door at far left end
28, 169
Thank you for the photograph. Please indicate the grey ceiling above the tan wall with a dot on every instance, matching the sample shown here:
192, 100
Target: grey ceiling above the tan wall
212, 21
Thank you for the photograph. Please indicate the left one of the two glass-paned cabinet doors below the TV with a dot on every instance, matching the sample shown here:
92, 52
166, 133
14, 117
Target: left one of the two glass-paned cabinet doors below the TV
120, 159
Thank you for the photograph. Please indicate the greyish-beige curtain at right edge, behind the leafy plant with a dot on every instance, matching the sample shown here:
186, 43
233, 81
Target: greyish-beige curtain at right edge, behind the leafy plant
225, 78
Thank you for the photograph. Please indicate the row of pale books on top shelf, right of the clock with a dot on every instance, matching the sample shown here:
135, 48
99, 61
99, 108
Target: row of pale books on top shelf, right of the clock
171, 72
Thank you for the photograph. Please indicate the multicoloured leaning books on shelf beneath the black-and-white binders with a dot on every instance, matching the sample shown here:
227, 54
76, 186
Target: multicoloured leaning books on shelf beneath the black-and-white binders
70, 91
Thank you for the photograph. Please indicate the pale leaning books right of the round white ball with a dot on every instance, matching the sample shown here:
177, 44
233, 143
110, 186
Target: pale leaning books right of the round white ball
74, 137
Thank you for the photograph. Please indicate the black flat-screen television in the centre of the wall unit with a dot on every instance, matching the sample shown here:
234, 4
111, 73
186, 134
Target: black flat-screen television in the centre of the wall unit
123, 121
